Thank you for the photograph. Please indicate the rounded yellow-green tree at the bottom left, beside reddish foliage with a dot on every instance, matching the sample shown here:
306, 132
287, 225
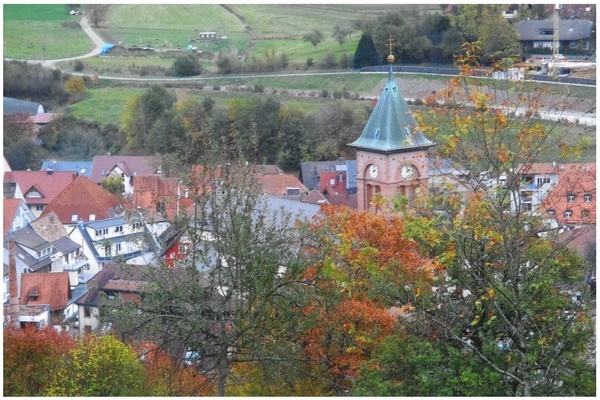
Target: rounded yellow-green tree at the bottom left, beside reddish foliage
98, 366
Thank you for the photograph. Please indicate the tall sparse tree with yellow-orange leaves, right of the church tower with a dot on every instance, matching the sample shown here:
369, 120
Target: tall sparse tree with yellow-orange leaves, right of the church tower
502, 290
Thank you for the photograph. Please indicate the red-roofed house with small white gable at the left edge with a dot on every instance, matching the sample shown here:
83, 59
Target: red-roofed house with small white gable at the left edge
39, 188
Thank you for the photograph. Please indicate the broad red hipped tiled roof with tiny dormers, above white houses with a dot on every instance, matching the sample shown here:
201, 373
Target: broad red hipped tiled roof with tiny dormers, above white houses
83, 198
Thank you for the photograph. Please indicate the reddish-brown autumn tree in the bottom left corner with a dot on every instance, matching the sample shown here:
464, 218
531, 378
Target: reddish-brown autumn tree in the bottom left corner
30, 358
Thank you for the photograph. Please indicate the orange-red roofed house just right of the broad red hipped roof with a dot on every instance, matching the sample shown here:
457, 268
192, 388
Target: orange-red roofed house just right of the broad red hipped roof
162, 195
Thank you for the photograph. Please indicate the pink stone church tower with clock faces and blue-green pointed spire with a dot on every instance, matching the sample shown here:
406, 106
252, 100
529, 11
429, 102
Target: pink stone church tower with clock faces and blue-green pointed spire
391, 152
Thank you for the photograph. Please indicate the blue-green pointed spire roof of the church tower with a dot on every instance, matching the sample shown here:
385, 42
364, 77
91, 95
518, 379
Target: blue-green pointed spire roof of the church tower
391, 127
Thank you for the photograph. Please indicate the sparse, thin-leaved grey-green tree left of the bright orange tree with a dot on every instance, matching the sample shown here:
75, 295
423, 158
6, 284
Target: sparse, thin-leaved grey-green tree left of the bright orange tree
235, 297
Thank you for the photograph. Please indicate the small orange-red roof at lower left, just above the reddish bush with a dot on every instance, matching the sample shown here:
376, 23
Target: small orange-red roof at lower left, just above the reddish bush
46, 288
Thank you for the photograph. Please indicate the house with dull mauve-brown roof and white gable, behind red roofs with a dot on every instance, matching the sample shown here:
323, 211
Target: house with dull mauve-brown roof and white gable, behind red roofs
124, 167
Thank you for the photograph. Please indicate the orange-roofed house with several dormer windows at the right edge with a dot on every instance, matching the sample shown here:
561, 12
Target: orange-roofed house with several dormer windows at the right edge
572, 202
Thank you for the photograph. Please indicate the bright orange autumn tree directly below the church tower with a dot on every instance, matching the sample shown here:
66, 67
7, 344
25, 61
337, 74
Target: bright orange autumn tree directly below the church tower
364, 259
